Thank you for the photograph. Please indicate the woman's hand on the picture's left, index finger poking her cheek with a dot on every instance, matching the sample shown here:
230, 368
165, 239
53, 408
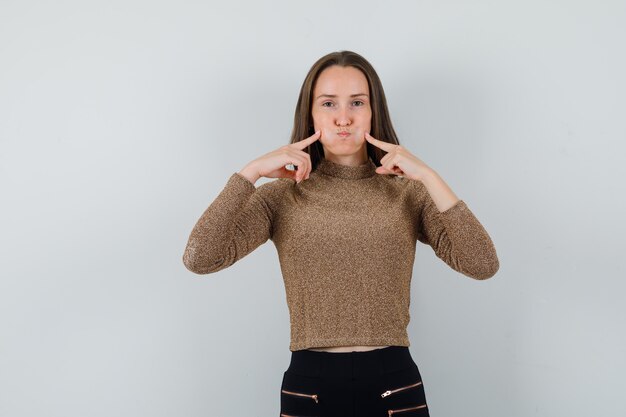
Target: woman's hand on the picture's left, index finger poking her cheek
273, 164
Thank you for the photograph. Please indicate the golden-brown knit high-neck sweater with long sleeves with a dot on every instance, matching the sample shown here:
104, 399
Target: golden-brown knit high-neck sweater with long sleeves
346, 241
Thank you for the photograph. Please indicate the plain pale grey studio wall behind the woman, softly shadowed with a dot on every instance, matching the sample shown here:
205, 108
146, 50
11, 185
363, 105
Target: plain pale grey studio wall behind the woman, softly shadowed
121, 121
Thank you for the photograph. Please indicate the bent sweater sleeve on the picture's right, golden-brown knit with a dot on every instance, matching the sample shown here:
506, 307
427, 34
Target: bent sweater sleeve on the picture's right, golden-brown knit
456, 236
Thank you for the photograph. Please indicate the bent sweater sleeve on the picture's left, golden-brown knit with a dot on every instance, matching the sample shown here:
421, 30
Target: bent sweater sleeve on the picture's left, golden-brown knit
238, 221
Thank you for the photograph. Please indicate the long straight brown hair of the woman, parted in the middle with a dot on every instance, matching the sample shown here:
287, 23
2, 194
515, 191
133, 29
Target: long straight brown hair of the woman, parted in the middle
381, 127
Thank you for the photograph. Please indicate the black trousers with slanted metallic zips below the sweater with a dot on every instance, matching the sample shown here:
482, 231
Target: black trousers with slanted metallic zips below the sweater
377, 383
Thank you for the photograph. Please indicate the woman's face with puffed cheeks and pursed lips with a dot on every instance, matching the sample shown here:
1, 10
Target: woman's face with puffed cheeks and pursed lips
341, 110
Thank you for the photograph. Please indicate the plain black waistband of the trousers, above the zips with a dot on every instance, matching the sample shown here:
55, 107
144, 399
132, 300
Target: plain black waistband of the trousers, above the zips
350, 364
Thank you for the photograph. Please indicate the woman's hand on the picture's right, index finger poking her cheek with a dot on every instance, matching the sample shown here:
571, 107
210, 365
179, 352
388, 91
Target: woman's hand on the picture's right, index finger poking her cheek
398, 160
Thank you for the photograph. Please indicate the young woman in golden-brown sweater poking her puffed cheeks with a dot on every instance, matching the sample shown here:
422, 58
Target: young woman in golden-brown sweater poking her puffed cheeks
345, 223
